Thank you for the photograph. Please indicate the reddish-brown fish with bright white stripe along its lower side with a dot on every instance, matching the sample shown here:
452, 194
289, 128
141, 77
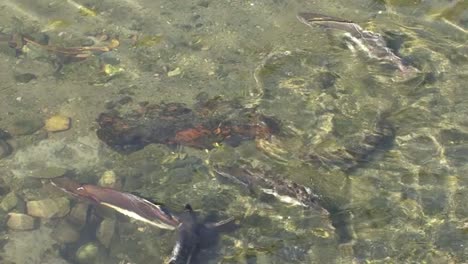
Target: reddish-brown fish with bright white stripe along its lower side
125, 203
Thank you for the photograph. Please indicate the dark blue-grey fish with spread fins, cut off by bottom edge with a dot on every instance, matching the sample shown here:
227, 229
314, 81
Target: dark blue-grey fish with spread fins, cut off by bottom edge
194, 235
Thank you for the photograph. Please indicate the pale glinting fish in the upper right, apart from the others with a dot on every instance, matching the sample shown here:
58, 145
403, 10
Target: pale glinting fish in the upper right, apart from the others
371, 43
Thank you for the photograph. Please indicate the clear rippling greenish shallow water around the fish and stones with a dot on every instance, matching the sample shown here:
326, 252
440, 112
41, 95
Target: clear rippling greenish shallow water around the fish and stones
407, 202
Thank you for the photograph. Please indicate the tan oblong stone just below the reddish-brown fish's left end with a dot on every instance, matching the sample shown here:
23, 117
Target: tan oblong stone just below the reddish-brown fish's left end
49, 208
